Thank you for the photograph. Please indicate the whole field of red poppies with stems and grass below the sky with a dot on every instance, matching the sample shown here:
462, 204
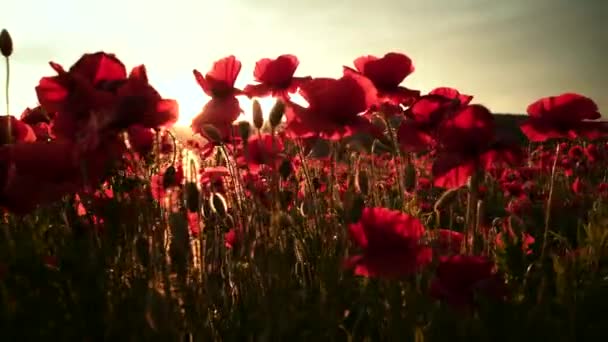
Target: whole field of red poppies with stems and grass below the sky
373, 212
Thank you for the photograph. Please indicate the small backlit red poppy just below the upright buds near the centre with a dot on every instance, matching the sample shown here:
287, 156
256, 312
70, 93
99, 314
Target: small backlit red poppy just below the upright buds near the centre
261, 150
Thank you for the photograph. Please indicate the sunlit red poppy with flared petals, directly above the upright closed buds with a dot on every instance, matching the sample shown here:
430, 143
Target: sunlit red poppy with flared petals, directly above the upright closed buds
275, 77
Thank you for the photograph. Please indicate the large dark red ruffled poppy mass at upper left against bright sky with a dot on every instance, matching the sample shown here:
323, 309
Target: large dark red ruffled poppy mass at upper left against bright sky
96, 90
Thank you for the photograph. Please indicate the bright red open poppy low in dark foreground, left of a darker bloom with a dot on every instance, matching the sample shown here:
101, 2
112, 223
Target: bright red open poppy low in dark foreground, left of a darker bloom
390, 241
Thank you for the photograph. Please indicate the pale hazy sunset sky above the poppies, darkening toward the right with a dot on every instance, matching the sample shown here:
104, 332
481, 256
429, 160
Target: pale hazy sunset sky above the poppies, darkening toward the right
507, 53
